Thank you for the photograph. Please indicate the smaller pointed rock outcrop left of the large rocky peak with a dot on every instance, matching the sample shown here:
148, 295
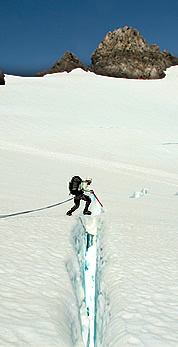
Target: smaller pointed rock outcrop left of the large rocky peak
67, 63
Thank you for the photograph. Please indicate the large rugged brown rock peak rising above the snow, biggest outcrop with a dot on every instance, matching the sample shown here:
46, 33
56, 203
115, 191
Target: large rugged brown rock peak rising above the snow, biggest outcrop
125, 53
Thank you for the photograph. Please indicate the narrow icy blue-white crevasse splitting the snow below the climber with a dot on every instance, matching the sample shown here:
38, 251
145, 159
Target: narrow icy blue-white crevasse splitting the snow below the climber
87, 284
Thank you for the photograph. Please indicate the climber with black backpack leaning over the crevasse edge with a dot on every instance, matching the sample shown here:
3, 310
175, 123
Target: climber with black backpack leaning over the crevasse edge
77, 187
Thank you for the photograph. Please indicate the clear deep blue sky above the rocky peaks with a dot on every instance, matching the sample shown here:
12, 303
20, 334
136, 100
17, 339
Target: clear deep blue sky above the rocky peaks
36, 33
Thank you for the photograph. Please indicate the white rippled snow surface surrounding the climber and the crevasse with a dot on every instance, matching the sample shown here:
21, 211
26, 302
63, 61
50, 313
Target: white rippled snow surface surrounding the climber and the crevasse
123, 133
